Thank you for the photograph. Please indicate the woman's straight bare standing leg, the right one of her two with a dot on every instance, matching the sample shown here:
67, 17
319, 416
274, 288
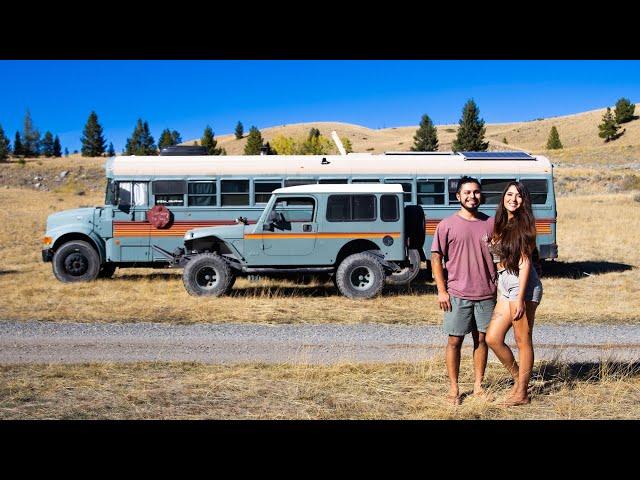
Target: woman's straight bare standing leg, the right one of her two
522, 331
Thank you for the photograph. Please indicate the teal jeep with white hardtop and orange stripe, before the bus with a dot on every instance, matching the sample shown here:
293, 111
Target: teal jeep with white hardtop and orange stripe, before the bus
360, 234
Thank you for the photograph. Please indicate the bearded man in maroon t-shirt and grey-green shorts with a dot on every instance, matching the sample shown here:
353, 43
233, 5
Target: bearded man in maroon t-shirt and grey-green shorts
468, 293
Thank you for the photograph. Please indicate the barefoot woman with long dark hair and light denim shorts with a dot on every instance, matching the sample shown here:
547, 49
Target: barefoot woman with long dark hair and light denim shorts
513, 245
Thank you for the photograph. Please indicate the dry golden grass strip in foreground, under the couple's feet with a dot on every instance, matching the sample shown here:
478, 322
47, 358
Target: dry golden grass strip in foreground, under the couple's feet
346, 391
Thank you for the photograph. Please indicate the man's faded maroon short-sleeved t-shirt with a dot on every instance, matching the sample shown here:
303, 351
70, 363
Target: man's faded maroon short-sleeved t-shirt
464, 244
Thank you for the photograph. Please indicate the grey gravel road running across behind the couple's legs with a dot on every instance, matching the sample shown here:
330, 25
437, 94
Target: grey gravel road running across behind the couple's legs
47, 342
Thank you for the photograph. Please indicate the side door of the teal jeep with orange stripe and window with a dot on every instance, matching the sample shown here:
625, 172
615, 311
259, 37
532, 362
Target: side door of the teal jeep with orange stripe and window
294, 227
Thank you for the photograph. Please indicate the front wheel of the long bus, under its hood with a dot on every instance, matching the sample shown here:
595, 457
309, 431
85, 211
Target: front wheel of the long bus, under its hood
76, 261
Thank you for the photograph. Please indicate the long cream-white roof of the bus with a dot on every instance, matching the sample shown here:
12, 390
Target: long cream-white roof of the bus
354, 164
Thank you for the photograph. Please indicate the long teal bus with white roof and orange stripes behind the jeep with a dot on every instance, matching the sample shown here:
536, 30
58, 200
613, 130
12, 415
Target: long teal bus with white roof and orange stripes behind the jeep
214, 191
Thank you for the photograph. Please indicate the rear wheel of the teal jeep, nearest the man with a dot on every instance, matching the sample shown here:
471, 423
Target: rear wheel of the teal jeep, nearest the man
360, 276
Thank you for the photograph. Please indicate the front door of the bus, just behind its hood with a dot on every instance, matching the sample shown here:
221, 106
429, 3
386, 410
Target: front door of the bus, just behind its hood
130, 225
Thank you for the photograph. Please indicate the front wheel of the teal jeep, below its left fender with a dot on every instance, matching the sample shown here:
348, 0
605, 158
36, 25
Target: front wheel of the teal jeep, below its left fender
207, 275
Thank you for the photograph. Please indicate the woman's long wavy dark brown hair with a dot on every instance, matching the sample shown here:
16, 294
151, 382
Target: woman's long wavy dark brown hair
517, 237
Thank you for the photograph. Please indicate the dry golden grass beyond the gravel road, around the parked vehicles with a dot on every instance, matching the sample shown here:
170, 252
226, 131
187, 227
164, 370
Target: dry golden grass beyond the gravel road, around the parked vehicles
595, 234
